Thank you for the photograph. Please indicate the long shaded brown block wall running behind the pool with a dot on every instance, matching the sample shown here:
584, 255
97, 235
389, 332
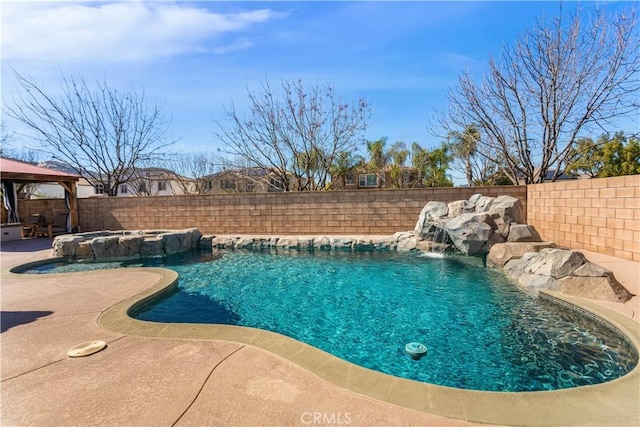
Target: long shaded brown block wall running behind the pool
331, 212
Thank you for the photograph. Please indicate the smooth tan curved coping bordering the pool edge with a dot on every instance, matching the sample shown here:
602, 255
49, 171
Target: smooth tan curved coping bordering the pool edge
615, 402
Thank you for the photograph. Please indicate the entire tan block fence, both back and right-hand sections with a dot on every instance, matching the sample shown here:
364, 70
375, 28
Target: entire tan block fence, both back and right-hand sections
599, 215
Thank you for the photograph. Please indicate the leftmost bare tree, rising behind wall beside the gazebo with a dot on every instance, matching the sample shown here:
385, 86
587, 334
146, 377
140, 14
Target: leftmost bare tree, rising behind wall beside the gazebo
102, 132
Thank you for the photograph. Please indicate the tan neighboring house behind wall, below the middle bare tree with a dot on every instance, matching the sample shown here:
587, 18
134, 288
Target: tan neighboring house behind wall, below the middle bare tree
245, 180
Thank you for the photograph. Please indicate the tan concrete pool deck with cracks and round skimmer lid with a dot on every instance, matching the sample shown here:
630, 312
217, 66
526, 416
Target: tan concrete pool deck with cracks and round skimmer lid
146, 380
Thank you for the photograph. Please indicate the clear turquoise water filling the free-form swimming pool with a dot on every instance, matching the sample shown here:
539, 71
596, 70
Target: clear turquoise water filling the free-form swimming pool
481, 331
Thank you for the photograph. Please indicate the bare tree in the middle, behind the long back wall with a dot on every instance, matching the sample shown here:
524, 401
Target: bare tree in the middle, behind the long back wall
295, 133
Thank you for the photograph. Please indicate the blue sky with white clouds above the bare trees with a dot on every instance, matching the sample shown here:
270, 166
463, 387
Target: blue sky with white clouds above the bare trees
197, 57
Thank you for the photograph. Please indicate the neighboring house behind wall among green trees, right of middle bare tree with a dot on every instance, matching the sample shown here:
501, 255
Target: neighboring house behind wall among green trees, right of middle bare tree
404, 177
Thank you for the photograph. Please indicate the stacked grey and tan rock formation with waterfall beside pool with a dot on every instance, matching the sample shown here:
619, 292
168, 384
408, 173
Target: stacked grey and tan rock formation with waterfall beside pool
494, 226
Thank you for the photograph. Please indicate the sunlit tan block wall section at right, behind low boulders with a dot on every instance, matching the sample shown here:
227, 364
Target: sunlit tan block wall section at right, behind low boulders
599, 215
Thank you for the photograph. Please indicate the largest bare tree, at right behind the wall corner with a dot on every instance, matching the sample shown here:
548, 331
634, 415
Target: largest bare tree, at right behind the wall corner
558, 80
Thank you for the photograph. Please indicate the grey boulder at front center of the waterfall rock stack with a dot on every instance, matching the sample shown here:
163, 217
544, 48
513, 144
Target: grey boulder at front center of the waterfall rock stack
470, 232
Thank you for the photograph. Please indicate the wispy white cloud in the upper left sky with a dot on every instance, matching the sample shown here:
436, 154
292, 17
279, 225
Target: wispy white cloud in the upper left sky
118, 32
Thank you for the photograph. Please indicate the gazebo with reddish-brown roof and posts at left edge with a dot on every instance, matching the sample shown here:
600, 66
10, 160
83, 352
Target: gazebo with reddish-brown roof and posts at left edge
15, 175
